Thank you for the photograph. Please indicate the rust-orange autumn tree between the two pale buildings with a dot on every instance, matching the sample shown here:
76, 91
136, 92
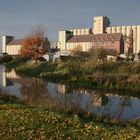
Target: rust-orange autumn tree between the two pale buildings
35, 45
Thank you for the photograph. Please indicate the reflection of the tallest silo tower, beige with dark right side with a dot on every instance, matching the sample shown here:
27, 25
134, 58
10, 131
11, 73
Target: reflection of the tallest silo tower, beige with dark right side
98, 100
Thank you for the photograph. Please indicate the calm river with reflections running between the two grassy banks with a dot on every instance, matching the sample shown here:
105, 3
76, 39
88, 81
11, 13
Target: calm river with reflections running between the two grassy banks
41, 93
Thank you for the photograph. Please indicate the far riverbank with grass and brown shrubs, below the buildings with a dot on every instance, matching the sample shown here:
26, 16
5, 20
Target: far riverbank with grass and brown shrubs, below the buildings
103, 75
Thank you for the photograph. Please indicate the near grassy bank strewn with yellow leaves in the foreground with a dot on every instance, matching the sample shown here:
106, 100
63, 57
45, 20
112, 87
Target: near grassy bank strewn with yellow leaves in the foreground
20, 121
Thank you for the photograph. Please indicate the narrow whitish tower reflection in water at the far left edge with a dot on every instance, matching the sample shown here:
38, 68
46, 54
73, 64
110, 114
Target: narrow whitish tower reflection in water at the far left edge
2, 76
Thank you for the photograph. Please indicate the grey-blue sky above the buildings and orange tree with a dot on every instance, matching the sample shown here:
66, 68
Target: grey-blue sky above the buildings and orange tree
19, 17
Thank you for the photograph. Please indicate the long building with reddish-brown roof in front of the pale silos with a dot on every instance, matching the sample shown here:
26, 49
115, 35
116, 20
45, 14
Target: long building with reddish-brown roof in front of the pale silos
87, 42
